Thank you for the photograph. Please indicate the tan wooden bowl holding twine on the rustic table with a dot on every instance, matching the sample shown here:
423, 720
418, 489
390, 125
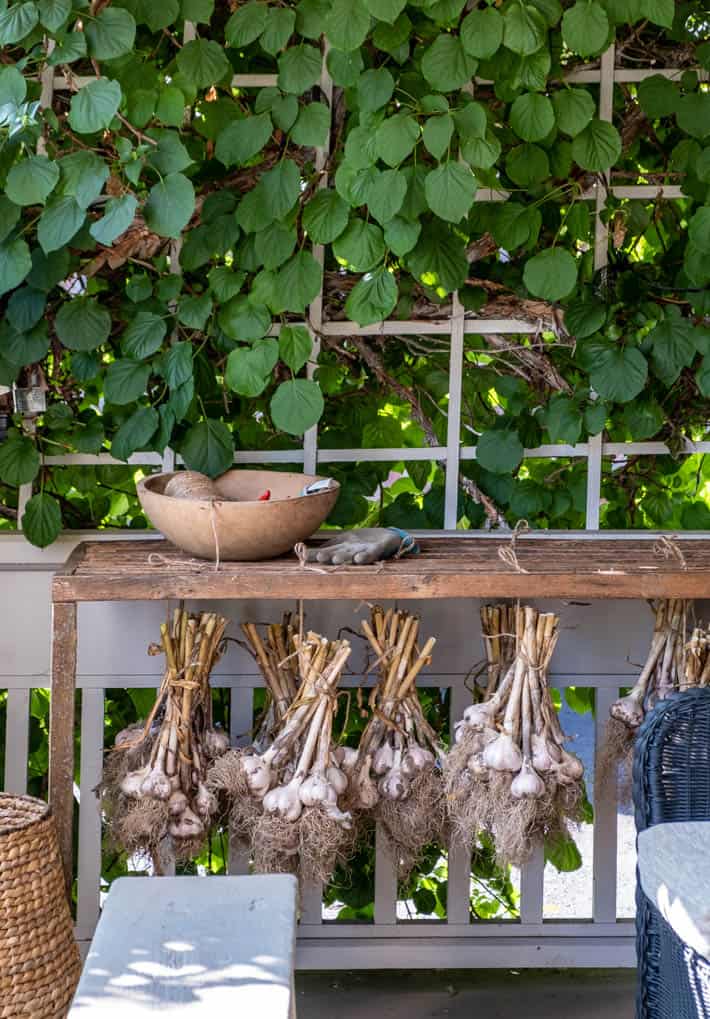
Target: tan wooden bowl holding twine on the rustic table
247, 529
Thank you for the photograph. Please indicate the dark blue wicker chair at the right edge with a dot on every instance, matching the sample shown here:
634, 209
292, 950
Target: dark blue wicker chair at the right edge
672, 783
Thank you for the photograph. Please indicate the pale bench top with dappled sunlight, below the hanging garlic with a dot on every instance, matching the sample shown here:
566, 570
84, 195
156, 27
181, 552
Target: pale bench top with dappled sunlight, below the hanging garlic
193, 948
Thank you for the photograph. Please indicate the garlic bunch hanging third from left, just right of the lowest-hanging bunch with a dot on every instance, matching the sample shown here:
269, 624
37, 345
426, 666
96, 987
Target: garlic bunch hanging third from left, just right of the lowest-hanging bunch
396, 775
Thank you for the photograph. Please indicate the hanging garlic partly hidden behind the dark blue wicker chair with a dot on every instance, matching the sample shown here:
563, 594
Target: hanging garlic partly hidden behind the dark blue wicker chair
672, 665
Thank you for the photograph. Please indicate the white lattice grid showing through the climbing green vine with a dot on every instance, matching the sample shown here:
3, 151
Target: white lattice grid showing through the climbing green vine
457, 327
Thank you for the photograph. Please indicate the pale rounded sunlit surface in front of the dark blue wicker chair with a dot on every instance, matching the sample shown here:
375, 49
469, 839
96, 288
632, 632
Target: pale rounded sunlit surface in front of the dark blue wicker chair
675, 873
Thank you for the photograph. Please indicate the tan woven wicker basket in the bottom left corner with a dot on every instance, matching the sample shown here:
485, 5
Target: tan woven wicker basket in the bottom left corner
39, 959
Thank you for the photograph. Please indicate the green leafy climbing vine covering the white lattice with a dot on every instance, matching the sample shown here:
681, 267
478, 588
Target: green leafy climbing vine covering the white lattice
165, 233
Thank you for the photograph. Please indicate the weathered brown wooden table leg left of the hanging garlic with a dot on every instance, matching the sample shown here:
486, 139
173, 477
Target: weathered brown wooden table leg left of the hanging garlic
62, 729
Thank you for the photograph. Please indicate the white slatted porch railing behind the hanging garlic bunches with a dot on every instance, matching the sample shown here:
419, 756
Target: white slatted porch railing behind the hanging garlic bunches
108, 661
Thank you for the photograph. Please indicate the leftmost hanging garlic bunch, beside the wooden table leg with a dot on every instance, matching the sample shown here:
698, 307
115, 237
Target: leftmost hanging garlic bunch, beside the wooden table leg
154, 786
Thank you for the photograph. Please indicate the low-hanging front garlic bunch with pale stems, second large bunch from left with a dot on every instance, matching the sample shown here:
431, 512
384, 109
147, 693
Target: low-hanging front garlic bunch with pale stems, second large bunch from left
297, 781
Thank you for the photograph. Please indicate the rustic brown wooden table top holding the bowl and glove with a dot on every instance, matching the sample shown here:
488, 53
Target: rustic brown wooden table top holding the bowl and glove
448, 567
